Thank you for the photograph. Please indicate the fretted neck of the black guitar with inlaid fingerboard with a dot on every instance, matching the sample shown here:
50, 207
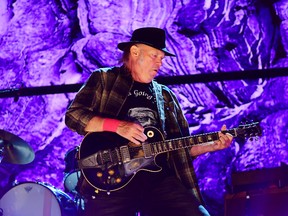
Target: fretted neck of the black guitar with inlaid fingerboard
183, 142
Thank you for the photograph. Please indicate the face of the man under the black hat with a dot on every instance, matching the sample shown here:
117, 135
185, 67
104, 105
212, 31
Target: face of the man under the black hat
146, 62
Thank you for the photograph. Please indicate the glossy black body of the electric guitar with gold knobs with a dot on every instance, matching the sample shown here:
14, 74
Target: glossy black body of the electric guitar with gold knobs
108, 169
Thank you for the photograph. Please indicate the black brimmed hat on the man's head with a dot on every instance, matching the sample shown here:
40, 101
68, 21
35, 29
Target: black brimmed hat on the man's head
151, 36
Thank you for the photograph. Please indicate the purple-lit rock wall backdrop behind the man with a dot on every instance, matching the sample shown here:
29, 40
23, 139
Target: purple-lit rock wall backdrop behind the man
51, 43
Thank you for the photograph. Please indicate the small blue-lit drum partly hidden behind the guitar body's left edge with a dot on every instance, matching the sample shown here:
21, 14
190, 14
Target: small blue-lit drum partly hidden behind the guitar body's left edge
72, 172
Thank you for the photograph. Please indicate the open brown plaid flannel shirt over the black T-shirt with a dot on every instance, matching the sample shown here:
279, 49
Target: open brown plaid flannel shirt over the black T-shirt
104, 94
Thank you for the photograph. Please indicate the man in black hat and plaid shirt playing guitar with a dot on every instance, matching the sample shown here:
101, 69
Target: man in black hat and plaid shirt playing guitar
117, 100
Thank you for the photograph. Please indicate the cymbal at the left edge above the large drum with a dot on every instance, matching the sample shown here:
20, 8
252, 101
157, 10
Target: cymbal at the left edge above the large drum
14, 149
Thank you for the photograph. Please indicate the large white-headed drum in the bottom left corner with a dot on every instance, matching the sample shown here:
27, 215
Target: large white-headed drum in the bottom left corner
36, 199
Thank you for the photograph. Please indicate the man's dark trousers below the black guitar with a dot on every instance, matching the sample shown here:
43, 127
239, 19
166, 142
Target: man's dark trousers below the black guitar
152, 194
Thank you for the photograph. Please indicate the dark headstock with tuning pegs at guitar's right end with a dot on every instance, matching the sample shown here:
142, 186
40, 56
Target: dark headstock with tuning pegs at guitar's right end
248, 130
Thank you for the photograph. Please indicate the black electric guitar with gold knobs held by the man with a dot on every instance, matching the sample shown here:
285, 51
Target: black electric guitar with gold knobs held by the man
109, 162
